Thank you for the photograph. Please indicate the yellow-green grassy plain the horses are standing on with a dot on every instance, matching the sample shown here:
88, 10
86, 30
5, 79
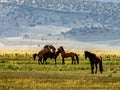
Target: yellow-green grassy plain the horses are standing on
18, 71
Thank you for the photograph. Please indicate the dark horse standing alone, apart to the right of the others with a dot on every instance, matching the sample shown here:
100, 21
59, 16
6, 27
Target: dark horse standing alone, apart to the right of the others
94, 60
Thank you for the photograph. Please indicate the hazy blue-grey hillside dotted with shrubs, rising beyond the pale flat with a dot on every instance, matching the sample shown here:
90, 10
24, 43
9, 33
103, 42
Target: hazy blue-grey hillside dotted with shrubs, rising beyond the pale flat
81, 21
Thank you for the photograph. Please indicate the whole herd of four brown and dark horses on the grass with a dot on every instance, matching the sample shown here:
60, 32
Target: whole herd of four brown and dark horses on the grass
49, 51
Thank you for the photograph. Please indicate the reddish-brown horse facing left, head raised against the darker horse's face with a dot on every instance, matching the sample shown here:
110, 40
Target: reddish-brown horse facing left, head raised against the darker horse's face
66, 55
